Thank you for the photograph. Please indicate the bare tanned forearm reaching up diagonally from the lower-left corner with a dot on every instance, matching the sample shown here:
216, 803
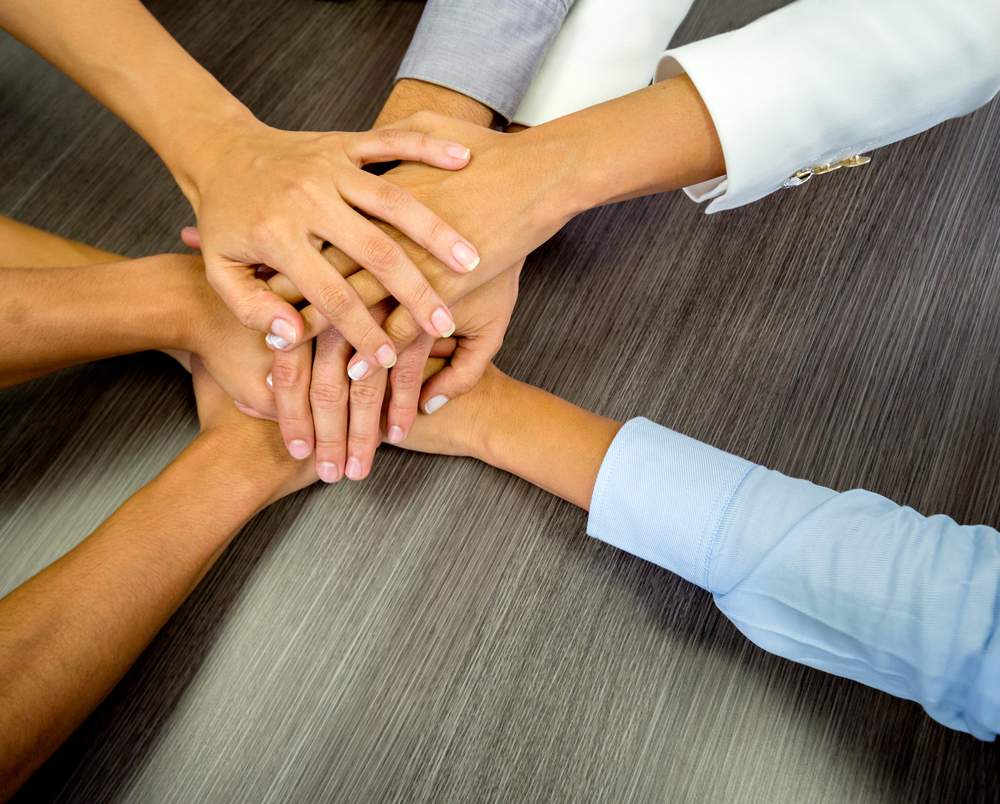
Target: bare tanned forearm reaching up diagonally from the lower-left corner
59, 660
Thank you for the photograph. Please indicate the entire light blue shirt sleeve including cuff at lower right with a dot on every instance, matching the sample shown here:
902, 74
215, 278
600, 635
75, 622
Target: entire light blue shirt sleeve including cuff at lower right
849, 583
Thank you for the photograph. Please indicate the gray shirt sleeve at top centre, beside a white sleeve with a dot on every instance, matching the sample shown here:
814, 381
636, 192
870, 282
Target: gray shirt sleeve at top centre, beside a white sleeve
486, 49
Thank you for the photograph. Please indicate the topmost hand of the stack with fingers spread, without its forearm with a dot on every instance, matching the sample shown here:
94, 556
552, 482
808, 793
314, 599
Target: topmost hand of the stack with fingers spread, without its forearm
271, 197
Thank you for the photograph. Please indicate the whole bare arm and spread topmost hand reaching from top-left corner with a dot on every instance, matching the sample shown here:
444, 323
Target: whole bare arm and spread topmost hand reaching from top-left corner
262, 196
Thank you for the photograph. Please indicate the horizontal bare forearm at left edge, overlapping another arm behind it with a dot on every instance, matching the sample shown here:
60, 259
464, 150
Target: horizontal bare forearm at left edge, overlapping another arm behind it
51, 318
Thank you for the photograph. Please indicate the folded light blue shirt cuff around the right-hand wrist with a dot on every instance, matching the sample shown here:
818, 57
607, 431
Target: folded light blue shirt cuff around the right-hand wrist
662, 496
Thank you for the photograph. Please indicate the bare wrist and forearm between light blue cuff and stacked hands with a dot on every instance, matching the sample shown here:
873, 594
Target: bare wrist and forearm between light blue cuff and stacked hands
541, 438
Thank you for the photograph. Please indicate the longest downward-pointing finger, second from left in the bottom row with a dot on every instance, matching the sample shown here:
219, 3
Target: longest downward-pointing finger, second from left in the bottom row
328, 396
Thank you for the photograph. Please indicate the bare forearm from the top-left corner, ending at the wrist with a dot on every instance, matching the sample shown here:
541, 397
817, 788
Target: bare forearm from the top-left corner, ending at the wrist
119, 53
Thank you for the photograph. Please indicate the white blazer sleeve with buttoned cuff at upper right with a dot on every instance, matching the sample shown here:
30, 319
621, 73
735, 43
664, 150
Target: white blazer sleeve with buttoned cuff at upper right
821, 80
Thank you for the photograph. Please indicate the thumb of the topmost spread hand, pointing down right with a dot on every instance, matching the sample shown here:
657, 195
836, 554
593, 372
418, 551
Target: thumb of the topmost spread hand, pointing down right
254, 303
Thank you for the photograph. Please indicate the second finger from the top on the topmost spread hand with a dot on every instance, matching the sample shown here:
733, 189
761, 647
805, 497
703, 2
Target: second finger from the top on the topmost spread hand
384, 200
